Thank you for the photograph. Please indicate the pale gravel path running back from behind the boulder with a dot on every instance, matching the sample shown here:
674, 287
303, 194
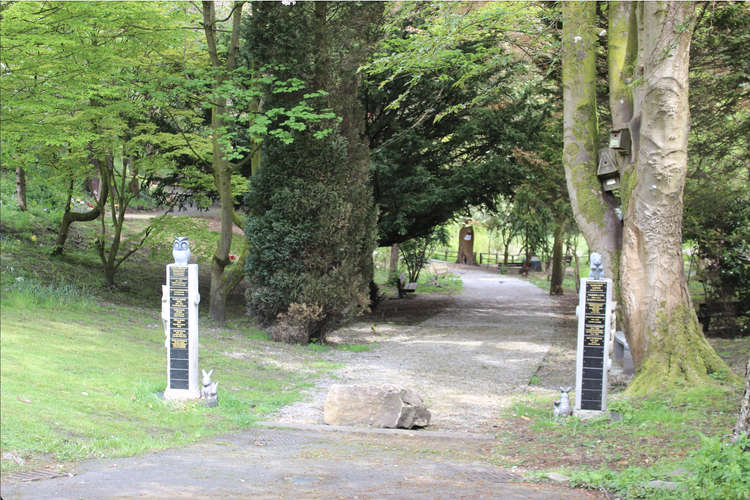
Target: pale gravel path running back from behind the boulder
466, 361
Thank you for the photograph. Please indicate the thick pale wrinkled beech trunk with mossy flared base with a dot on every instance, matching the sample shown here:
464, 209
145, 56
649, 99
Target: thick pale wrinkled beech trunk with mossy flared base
663, 331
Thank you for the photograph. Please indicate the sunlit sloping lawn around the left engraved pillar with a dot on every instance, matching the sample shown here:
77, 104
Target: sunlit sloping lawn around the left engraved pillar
81, 379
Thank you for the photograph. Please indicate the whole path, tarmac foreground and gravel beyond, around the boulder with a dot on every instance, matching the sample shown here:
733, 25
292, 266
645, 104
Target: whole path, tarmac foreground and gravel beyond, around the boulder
466, 355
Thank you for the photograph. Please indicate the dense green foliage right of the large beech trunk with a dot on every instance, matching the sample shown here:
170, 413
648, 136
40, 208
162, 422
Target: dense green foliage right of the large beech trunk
717, 216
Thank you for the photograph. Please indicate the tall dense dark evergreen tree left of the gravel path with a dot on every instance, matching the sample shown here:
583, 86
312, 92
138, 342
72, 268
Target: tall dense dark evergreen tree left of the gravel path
311, 212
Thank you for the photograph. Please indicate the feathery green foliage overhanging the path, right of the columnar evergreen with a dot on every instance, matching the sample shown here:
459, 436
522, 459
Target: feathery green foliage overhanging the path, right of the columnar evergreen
447, 113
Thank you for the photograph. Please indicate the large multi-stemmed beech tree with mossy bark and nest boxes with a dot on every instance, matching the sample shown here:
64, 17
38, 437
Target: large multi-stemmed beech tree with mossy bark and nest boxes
648, 54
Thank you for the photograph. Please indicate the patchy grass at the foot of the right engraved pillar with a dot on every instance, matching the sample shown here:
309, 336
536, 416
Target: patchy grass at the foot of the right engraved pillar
674, 438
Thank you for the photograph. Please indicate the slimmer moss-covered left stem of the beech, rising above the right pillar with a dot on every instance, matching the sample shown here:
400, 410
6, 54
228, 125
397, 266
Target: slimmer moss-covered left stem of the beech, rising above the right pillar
593, 210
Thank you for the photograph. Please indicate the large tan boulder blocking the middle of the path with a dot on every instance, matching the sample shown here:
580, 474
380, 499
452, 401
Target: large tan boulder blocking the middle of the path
386, 406
